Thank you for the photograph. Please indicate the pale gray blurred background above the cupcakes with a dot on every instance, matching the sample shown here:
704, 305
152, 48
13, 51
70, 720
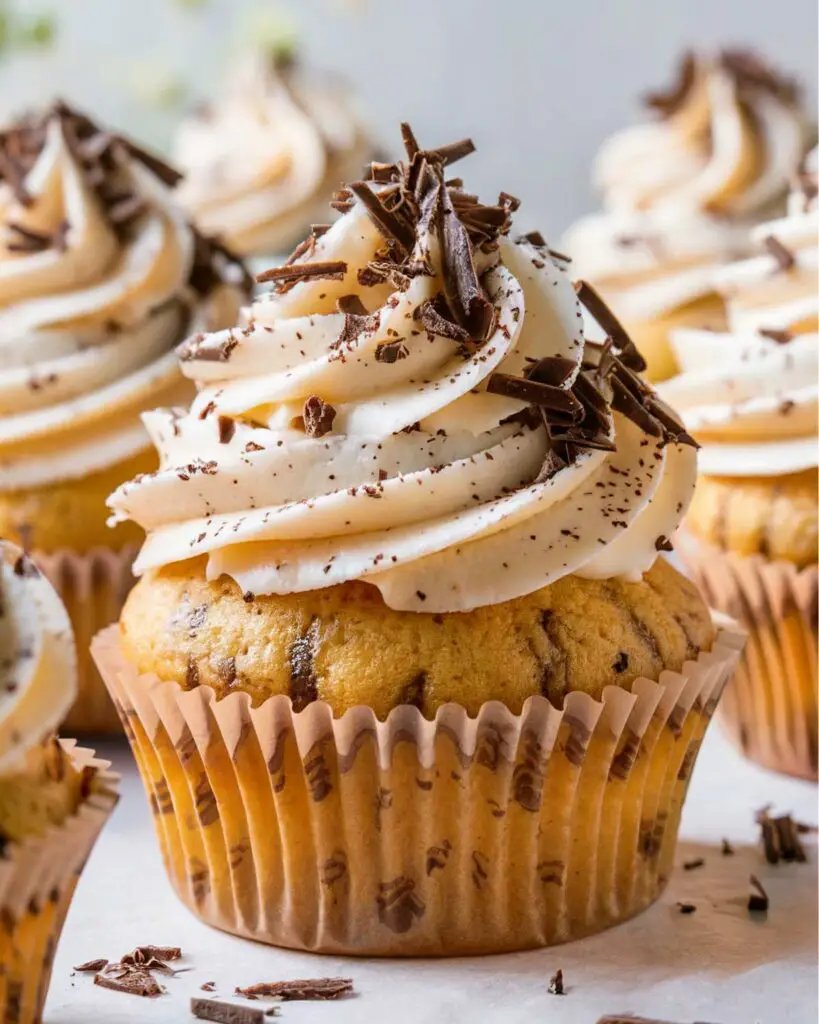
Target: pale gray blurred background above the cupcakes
538, 83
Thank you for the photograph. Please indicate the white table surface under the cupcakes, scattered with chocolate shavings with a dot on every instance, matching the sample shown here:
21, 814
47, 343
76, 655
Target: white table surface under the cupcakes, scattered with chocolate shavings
717, 965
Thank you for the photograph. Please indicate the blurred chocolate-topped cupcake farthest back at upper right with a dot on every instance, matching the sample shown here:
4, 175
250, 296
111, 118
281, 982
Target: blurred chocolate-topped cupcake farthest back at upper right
683, 192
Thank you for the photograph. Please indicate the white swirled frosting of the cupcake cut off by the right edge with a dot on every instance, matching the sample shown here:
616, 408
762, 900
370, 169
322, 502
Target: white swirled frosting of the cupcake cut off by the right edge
752, 395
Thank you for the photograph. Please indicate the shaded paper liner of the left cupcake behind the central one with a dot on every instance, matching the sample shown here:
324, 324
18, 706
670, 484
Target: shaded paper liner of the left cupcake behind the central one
94, 588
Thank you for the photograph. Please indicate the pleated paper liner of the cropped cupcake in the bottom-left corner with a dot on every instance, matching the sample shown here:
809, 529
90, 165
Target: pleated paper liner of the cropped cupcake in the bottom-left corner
37, 882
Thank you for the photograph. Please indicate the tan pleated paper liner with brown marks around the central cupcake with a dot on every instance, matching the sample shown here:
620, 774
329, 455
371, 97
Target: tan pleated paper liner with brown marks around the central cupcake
412, 837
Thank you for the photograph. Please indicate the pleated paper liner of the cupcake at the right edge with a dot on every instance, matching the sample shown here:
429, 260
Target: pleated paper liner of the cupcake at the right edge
770, 710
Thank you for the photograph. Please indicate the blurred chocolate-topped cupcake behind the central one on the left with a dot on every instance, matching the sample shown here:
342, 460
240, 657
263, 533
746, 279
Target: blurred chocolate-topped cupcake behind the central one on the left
101, 276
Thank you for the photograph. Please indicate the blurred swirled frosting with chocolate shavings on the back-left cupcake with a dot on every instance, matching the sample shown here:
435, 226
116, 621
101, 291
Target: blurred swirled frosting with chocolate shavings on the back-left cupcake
101, 276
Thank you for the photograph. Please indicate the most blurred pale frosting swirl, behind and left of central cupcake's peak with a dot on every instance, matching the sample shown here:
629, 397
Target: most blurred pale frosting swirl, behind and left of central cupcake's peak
262, 162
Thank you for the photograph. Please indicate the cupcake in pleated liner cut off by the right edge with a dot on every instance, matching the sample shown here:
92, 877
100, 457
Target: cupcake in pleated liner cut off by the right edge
752, 395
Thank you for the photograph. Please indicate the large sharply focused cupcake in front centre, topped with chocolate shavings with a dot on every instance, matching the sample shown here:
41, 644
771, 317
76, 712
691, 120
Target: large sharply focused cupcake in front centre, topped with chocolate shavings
404, 674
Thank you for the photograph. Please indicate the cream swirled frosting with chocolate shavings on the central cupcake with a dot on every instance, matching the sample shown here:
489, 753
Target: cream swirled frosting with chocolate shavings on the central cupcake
415, 405
